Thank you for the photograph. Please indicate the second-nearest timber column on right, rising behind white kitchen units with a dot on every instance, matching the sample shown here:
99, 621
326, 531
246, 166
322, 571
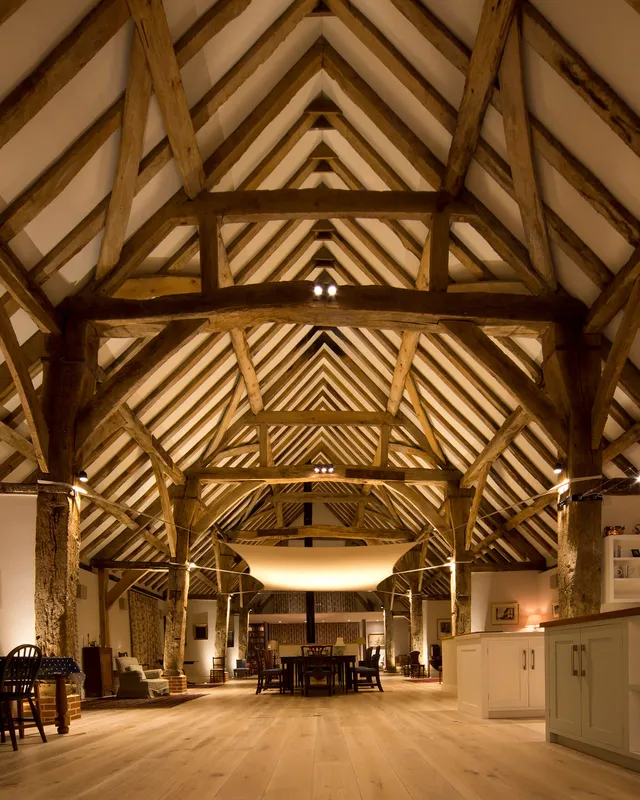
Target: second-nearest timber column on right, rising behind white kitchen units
459, 502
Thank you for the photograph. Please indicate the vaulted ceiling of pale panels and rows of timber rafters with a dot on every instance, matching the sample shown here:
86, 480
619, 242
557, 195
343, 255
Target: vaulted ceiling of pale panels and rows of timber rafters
96, 130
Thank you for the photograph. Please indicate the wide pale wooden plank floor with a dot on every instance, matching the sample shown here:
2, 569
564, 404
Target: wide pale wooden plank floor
409, 742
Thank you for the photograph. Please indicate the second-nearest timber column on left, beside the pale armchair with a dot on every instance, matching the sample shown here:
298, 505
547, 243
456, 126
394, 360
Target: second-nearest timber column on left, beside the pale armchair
187, 509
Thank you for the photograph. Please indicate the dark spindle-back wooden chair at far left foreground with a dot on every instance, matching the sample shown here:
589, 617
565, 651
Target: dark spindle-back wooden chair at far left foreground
17, 682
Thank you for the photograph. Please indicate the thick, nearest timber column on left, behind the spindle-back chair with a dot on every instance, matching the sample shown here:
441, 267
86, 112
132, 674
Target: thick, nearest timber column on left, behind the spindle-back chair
68, 383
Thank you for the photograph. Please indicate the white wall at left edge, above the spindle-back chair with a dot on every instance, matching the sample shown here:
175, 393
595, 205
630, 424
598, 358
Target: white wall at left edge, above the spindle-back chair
17, 570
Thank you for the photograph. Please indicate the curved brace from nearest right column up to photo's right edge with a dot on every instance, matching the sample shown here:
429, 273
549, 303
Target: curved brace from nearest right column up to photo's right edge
615, 362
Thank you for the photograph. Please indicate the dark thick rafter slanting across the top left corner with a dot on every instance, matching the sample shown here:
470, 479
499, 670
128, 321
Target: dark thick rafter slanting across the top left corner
60, 66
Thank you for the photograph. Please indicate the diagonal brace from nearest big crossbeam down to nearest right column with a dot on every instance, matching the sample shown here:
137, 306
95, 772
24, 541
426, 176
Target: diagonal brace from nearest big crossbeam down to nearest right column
533, 399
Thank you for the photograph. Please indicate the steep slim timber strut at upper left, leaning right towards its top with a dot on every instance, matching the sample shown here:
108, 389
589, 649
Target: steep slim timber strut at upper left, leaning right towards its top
130, 149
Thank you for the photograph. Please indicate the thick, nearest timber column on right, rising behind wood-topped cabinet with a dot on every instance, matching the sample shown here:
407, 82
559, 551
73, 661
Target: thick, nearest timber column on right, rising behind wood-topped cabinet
580, 518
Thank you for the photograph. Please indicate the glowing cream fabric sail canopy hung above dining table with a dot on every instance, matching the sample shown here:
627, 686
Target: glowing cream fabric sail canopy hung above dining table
322, 569
